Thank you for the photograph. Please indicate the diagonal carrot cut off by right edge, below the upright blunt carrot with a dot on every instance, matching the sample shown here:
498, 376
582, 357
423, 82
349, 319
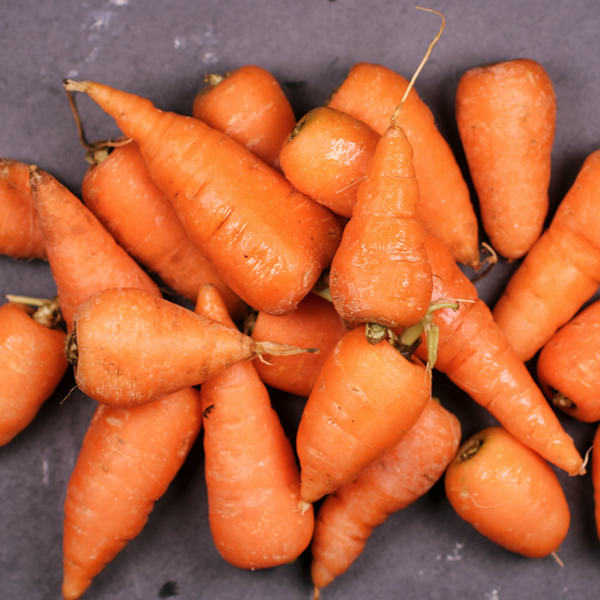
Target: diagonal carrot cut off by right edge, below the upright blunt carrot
560, 272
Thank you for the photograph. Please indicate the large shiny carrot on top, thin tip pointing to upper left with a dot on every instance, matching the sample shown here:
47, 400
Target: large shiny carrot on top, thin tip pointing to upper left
268, 242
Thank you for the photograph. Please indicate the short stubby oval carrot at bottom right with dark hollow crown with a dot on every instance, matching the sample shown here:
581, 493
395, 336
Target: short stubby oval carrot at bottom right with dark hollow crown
509, 494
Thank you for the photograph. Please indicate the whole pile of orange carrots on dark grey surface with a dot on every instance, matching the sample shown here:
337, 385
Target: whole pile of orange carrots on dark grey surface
322, 259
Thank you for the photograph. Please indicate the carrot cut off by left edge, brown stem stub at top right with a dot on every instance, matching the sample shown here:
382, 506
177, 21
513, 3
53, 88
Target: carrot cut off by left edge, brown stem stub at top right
32, 363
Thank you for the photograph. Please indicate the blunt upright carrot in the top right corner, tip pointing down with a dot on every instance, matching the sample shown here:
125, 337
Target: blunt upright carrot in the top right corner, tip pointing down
506, 115
